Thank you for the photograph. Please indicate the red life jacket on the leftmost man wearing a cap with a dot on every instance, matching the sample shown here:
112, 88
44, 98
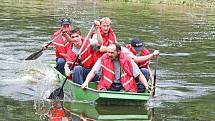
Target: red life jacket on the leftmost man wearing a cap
61, 44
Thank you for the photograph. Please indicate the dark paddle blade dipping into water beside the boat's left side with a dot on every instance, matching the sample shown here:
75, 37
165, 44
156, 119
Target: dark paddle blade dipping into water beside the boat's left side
57, 94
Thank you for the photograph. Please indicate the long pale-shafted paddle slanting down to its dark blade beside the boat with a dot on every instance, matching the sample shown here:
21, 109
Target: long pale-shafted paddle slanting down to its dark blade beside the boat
58, 93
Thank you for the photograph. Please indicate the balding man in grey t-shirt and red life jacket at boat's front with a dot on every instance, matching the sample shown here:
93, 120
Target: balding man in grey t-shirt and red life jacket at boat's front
117, 71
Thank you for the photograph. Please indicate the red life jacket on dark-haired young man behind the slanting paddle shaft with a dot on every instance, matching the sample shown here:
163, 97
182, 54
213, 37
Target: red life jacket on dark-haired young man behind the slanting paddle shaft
87, 56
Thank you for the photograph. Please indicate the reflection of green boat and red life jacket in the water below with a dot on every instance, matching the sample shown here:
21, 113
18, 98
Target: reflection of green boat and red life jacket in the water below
77, 111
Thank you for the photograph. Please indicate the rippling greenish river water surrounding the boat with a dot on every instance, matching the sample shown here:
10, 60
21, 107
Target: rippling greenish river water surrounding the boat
185, 36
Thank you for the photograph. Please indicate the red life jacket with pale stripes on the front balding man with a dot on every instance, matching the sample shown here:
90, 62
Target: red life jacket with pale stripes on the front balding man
126, 78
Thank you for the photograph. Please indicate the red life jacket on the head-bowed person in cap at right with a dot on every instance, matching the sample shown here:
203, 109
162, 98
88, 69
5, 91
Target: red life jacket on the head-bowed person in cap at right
144, 52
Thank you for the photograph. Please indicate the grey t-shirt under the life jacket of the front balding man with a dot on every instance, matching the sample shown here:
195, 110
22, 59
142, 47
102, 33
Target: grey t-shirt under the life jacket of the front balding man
98, 70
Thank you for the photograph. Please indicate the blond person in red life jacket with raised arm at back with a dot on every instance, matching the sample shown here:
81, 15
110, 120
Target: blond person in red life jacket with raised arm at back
104, 33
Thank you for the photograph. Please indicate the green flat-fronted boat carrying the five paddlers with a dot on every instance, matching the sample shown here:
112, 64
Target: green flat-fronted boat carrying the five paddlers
92, 95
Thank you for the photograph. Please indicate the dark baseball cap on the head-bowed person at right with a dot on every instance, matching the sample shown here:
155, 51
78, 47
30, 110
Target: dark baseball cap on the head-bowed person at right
137, 44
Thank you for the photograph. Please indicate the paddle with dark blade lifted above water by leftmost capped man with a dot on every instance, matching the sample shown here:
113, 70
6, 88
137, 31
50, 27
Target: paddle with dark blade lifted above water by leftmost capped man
37, 54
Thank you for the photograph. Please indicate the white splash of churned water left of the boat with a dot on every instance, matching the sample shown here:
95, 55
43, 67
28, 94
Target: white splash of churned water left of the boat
31, 80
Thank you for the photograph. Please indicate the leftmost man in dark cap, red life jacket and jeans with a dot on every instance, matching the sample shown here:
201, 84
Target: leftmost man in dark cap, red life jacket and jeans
61, 44
